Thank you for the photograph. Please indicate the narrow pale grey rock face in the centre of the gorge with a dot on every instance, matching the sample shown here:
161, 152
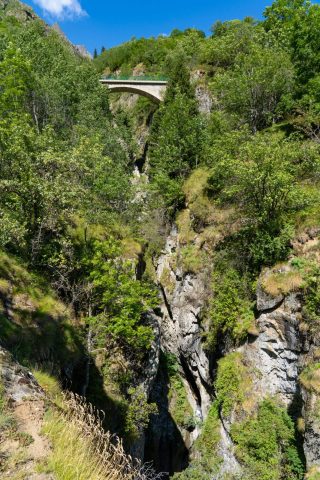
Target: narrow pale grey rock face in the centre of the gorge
180, 328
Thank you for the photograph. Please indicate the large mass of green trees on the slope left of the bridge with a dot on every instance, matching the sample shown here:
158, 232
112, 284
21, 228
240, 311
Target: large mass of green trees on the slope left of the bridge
58, 147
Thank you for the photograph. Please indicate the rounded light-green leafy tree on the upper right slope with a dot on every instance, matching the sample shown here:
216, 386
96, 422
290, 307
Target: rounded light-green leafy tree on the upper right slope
255, 84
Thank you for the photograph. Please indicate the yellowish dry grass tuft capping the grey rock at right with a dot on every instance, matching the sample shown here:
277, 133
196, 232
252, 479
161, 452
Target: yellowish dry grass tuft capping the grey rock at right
282, 282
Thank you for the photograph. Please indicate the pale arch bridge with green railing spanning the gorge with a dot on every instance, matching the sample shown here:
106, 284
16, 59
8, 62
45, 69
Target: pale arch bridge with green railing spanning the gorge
150, 87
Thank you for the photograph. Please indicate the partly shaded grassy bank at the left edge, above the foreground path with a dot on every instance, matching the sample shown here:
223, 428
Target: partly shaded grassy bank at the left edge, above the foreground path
40, 328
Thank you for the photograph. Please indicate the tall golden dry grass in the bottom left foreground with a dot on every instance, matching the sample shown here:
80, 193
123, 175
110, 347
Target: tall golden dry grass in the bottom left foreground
82, 450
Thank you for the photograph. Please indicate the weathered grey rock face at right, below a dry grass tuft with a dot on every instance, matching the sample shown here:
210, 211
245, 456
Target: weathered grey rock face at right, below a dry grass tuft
277, 351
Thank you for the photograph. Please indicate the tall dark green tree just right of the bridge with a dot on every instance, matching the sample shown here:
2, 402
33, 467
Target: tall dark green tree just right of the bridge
175, 142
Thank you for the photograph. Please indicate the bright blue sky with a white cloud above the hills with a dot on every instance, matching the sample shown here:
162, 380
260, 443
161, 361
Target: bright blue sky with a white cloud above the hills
94, 23
